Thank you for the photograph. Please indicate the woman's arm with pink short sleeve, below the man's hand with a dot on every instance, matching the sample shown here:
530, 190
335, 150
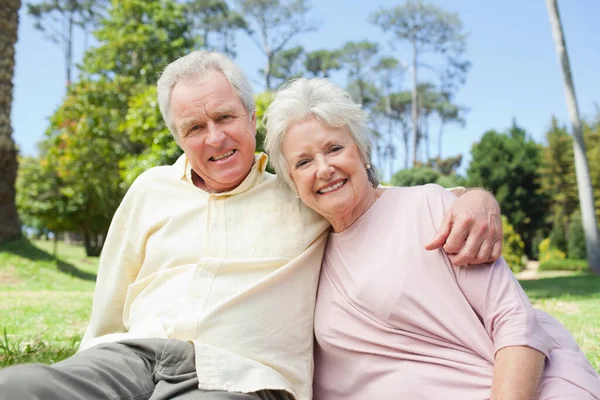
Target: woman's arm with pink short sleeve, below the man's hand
520, 343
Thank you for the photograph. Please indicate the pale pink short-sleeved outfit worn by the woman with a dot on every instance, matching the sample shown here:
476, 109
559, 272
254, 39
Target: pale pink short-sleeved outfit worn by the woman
395, 321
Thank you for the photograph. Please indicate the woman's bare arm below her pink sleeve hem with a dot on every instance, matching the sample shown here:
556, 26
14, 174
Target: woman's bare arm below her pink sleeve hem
517, 373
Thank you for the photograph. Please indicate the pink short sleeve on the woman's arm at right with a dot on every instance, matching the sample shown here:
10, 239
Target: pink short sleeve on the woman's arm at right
495, 295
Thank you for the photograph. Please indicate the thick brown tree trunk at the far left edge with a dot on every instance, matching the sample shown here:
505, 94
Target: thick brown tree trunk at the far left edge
9, 23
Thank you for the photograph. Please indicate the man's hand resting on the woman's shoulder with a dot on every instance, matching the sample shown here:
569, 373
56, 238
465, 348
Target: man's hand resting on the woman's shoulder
471, 232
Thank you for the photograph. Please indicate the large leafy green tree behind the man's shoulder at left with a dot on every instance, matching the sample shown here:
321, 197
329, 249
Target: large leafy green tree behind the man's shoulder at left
109, 121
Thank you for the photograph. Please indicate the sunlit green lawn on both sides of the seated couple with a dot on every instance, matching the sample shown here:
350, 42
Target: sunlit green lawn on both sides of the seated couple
45, 302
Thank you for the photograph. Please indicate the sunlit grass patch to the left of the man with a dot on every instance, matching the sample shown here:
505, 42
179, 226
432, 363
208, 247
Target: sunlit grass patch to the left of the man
45, 301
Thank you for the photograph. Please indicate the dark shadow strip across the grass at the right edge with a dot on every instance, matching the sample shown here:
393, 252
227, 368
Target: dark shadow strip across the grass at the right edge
585, 285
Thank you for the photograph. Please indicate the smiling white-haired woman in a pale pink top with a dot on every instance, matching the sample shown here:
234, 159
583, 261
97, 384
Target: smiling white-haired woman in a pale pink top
394, 320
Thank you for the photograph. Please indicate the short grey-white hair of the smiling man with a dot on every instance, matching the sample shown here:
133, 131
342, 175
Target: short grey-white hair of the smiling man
195, 66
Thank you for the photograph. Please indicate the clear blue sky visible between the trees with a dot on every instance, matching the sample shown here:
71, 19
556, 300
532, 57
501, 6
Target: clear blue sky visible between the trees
515, 70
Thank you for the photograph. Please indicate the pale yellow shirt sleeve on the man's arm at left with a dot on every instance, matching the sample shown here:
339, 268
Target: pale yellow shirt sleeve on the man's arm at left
119, 265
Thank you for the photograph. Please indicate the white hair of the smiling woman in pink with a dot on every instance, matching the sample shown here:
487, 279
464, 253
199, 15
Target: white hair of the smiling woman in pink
329, 104
